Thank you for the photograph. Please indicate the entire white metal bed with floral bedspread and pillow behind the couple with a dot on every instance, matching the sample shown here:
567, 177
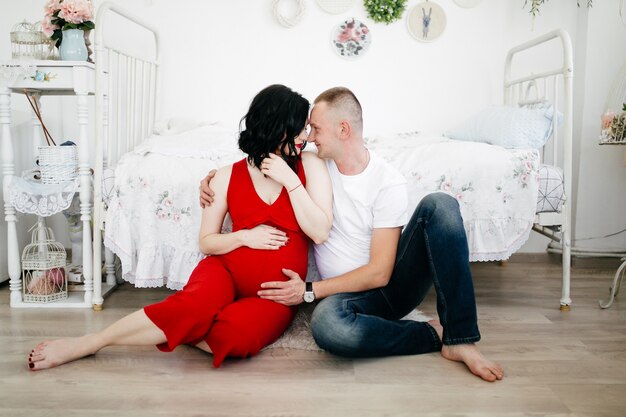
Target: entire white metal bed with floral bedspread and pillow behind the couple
146, 209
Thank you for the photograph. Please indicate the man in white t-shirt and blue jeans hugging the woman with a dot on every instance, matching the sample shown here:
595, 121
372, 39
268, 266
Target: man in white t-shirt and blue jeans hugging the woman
373, 272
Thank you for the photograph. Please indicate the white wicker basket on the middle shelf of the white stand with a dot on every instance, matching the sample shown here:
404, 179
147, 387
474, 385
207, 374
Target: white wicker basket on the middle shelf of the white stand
58, 164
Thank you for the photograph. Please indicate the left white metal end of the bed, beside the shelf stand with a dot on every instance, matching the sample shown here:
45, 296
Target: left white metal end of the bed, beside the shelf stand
126, 85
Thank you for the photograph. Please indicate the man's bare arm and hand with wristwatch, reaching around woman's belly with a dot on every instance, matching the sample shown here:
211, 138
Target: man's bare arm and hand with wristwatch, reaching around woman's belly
375, 274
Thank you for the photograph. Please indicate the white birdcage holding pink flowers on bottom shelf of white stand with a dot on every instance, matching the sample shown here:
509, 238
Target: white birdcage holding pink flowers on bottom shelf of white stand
43, 267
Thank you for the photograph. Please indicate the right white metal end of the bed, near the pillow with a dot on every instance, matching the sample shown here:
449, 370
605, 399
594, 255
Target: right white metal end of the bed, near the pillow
537, 88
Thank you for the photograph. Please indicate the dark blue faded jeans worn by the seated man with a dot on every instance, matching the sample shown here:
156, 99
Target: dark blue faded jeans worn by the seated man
432, 251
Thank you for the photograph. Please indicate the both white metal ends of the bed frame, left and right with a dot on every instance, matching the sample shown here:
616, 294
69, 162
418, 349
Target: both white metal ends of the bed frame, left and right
132, 99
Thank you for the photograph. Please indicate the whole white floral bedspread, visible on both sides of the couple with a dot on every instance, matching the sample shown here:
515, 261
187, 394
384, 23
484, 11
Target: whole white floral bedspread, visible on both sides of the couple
153, 218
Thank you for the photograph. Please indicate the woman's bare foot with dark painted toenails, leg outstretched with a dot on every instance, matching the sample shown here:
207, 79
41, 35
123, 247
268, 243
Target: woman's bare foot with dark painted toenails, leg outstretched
57, 352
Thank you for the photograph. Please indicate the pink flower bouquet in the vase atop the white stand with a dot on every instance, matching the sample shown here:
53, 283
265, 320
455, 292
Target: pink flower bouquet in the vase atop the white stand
61, 15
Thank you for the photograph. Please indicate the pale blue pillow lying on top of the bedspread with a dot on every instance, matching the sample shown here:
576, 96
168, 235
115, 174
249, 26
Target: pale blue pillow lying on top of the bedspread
509, 127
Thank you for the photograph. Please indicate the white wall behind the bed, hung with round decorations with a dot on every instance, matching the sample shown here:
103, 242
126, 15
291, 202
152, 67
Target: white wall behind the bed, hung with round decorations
217, 55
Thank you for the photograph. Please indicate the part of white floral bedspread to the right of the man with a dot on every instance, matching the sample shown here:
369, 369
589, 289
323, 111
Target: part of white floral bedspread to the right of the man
496, 188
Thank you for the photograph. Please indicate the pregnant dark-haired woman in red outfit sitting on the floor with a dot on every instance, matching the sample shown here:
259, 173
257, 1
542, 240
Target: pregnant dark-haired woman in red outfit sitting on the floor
278, 199
